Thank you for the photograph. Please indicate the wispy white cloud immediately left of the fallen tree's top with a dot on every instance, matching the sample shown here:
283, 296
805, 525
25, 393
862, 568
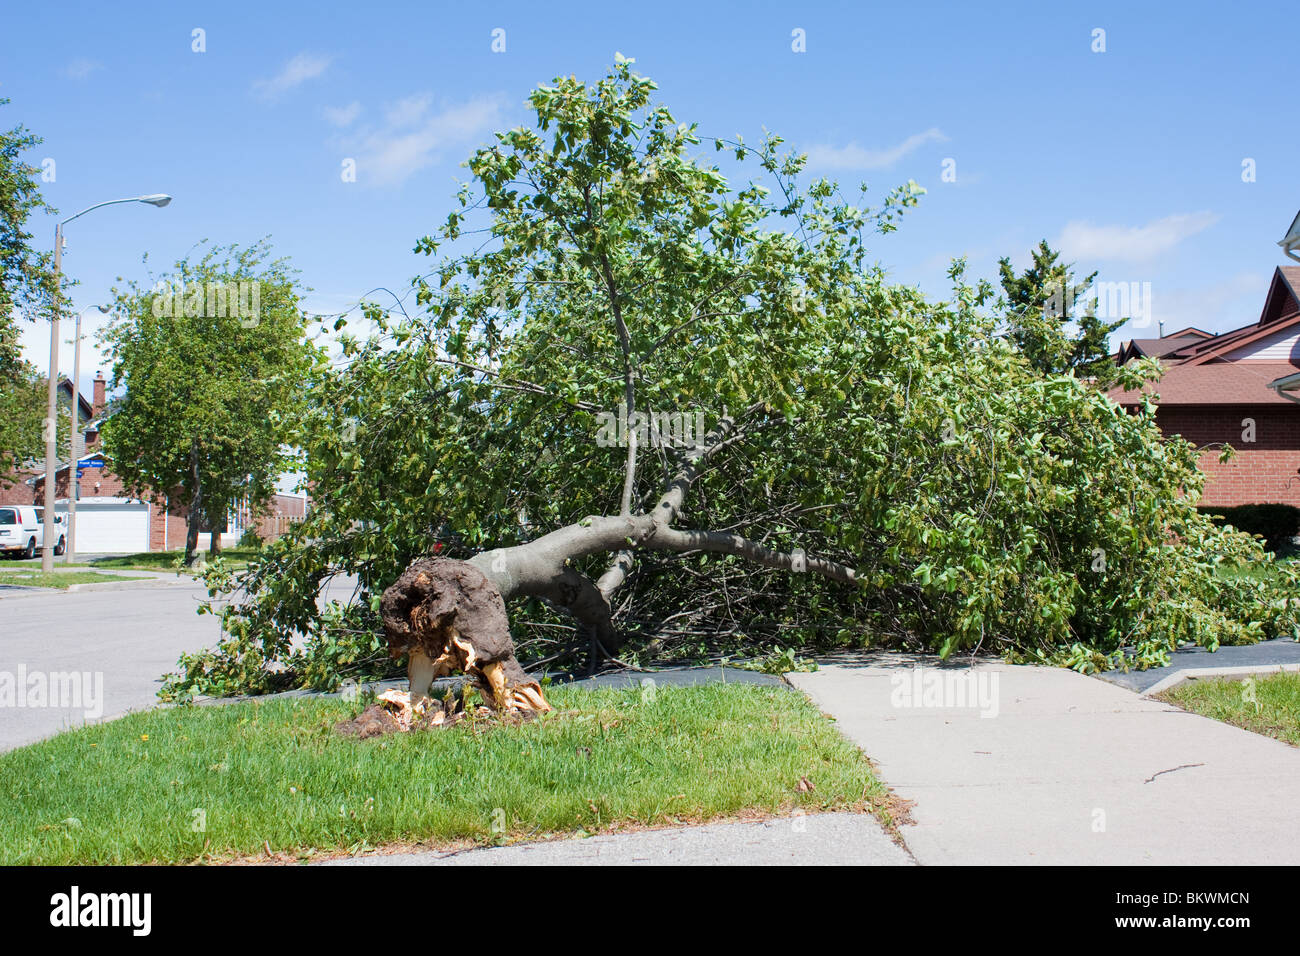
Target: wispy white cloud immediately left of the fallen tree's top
414, 136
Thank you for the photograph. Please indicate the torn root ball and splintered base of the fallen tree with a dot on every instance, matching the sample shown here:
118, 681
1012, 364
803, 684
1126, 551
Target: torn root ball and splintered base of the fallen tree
448, 617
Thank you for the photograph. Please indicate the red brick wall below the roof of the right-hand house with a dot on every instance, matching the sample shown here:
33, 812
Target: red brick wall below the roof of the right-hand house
1267, 470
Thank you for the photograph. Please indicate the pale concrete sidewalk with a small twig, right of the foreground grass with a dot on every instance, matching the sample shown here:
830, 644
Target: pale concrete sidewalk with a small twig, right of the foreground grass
1068, 771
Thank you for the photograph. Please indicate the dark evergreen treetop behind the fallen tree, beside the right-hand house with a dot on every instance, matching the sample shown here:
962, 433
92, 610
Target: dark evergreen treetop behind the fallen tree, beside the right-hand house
1042, 304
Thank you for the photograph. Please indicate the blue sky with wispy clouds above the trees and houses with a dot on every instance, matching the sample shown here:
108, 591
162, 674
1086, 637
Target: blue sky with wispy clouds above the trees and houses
1132, 159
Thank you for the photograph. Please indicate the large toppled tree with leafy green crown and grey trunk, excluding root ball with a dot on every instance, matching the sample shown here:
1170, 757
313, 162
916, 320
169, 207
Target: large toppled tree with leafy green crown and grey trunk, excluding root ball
872, 466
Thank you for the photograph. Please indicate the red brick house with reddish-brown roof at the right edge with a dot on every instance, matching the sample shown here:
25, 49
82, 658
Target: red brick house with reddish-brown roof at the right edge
1238, 388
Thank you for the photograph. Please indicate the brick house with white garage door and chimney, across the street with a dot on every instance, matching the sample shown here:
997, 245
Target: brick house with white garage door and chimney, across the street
111, 521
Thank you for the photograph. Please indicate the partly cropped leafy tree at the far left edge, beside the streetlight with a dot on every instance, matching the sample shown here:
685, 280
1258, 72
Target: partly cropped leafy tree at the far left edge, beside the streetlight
27, 291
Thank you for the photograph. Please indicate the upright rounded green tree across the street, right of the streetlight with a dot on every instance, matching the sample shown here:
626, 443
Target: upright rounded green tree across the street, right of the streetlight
214, 360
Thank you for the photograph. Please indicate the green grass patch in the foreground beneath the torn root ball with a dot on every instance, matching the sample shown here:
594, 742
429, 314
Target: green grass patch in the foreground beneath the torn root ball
275, 780
